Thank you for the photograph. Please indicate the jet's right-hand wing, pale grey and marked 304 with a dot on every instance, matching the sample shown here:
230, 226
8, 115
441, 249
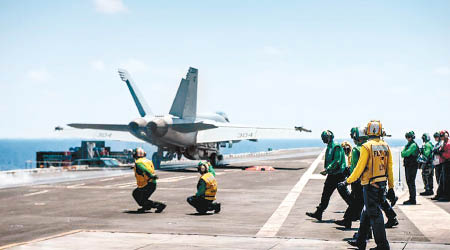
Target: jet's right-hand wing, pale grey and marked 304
231, 132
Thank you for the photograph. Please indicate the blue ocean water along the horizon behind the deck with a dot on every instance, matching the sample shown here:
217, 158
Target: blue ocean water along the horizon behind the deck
21, 153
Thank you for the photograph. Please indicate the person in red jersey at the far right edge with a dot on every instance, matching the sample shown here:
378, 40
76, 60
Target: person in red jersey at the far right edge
444, 182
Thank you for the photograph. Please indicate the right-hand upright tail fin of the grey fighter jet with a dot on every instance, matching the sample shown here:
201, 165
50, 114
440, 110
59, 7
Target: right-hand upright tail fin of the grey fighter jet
185, 103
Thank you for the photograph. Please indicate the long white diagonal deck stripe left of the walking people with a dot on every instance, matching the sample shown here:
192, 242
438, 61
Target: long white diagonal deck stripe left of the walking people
274, 223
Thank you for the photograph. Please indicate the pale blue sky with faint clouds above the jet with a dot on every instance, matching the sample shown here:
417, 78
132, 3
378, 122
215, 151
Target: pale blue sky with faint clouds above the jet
321, 64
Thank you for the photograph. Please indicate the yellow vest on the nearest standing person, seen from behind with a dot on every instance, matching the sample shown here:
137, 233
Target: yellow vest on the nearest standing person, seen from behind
376, 168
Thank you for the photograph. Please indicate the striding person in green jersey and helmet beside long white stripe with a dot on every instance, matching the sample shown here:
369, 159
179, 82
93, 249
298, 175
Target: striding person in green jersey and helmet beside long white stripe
334, 169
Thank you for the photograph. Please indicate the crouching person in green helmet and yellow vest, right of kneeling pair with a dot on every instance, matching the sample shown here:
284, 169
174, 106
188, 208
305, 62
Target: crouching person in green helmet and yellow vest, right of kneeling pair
203, 200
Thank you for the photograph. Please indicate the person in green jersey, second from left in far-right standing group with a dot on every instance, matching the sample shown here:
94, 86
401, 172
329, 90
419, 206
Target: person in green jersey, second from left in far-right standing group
425, 159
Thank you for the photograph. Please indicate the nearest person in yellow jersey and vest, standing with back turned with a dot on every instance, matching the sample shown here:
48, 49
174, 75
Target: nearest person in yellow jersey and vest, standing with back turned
374, 168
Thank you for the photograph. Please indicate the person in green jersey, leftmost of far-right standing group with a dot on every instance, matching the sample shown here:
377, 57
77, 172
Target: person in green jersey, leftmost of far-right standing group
410, 153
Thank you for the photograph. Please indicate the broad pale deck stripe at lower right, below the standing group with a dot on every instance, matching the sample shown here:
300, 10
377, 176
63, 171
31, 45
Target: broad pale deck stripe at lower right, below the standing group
430, 219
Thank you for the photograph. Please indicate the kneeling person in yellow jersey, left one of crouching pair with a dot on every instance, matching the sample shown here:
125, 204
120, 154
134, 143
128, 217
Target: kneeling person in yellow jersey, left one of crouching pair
146, 182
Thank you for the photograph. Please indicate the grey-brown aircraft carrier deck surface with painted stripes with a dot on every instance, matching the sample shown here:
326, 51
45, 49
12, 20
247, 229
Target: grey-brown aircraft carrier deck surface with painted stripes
260, 210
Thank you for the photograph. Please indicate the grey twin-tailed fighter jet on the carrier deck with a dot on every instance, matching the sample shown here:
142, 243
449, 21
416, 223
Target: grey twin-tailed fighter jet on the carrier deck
183, 132
